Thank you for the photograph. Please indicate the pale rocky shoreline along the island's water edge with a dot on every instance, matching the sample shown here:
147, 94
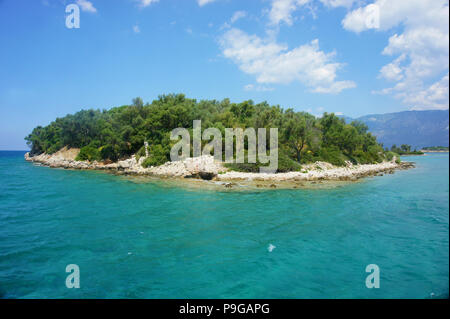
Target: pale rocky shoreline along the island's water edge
206, 168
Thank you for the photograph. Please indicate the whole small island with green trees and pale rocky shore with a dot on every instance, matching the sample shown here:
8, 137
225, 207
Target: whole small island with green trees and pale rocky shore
136, 139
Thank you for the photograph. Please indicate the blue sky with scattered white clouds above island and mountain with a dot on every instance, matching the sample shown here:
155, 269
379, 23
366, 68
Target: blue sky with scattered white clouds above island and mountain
350, 57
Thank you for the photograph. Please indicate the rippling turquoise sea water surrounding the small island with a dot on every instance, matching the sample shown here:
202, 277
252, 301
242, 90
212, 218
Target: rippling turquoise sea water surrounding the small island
147, 240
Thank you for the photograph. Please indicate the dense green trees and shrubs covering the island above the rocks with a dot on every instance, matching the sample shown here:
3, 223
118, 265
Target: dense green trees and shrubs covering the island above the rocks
121, 131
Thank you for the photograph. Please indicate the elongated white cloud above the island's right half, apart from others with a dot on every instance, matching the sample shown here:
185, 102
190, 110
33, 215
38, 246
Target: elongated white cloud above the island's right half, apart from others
272, 63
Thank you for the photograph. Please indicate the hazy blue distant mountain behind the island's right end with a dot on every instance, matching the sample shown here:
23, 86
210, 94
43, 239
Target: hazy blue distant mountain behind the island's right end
416, 128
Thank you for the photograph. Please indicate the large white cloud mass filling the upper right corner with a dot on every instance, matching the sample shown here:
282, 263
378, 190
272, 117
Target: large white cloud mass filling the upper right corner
421, 49
